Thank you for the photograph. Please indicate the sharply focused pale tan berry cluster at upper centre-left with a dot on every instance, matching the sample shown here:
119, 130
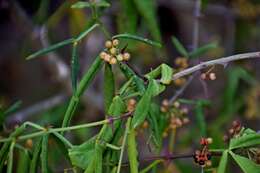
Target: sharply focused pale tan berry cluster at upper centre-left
112, 54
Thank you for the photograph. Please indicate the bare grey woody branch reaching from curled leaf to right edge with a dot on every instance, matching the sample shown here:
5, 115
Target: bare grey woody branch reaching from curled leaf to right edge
221, 61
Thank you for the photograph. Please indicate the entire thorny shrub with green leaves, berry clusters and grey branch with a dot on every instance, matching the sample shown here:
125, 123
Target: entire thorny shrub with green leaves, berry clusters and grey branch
131, 109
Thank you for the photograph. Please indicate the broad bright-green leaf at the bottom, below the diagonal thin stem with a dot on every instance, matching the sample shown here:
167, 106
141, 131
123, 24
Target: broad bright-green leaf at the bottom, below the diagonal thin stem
82, 155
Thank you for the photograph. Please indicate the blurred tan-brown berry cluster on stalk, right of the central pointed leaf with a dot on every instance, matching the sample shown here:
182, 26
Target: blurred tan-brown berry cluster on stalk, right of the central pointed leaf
177, 116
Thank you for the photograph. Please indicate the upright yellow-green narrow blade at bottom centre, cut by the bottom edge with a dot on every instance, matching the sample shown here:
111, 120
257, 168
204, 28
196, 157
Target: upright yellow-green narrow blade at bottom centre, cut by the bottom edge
132, 151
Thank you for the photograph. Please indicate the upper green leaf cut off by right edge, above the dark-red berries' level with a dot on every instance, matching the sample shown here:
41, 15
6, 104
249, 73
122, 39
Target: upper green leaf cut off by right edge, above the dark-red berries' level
246, 140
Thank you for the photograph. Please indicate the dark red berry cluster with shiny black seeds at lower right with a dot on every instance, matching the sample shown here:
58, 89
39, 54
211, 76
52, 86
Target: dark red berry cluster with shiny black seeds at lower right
203, 156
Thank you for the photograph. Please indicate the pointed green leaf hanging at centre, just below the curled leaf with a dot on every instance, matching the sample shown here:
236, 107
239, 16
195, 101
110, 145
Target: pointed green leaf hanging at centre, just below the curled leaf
143, 105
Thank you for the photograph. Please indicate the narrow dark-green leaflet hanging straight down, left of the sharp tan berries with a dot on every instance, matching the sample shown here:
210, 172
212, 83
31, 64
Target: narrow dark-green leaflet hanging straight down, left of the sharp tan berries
74, 67
